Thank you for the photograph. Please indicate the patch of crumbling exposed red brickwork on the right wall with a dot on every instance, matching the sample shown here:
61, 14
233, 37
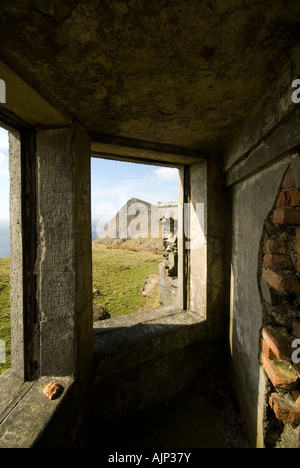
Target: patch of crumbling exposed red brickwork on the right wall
280, 288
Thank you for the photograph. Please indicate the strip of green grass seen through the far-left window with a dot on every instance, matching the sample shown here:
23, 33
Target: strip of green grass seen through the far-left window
5, 333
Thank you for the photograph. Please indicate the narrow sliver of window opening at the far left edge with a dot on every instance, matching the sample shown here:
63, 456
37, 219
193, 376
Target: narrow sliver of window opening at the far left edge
5, 323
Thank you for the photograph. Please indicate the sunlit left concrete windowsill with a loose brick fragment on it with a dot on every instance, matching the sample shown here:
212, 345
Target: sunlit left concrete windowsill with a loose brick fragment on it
25, 411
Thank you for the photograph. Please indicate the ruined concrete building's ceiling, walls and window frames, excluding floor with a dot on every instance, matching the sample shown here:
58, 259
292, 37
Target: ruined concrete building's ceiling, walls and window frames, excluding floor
209, 87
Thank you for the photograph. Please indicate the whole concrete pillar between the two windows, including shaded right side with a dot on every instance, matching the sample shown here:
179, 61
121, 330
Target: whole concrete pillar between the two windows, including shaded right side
63, 267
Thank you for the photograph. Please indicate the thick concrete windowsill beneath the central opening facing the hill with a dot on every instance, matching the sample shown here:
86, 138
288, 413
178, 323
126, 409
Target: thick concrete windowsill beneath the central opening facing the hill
128, 341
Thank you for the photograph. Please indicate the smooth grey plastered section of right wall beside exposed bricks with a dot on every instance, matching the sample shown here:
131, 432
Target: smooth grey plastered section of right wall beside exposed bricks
251, 203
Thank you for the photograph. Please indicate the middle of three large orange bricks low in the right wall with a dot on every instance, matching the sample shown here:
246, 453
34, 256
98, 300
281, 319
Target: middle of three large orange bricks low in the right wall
281, 373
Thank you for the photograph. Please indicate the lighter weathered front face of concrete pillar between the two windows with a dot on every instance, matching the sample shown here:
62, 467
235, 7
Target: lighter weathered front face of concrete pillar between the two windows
56, 272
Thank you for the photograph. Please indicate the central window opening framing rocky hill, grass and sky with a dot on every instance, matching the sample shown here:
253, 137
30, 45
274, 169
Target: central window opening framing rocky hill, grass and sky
134, 234
